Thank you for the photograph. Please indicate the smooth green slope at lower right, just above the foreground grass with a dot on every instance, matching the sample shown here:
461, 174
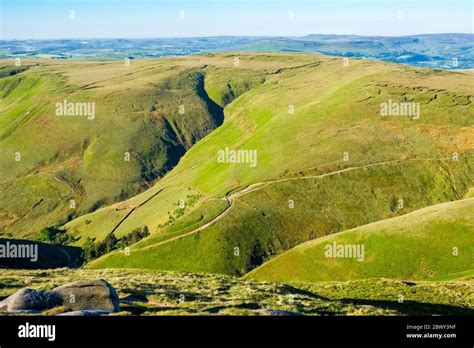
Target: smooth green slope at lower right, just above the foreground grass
433, 242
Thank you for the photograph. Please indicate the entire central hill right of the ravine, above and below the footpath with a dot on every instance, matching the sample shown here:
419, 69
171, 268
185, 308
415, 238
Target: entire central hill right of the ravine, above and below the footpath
336, 111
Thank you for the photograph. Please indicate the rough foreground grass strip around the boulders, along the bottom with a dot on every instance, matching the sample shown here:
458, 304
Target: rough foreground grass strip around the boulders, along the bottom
169, 293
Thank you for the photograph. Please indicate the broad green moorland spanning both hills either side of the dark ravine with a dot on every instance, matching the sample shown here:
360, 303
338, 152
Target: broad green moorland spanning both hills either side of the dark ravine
302, 114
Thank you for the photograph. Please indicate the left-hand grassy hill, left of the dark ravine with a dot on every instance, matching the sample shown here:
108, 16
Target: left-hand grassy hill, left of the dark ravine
138, 133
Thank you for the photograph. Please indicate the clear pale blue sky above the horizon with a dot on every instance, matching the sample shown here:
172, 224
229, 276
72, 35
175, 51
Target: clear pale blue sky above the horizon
55, 19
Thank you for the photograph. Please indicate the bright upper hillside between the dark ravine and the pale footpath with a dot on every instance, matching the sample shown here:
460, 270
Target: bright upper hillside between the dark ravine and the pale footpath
311, 140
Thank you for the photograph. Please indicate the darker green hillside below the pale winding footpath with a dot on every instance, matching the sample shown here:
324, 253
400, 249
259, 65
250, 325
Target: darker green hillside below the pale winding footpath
261, 224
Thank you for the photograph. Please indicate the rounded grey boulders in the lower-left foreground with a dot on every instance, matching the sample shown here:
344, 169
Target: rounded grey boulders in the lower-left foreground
80, 295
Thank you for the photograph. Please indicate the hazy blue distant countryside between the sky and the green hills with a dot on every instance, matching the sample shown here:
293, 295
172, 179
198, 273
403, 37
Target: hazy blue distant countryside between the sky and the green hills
432, 50
